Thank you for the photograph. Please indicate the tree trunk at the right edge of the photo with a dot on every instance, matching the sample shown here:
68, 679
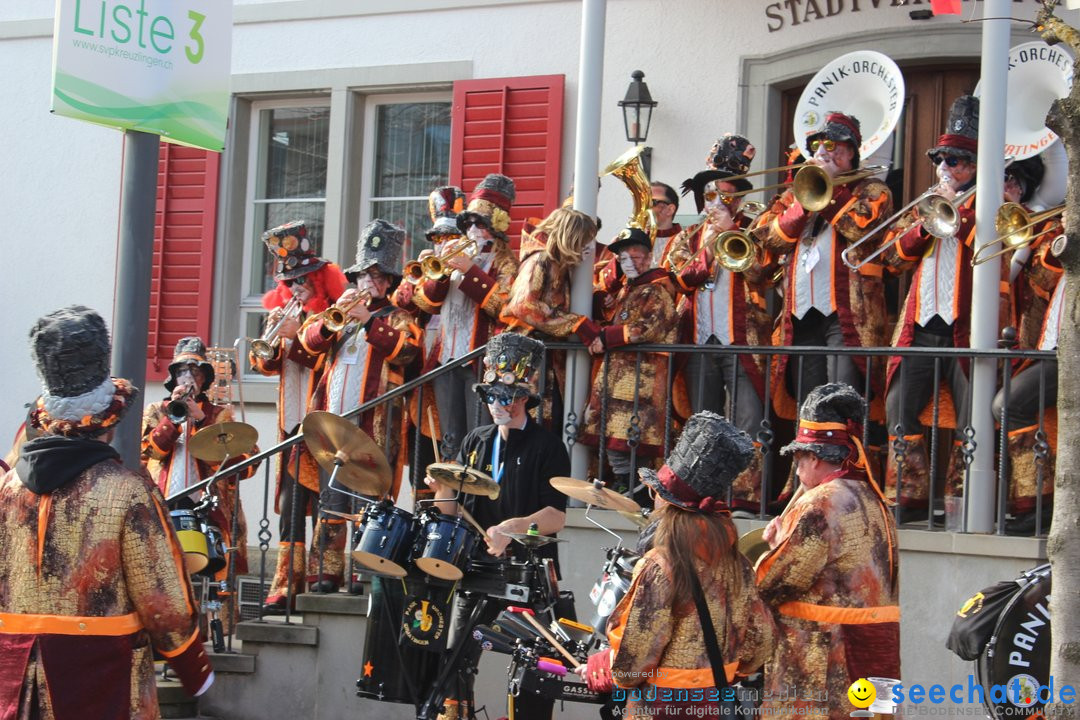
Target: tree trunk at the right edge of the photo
1064, 545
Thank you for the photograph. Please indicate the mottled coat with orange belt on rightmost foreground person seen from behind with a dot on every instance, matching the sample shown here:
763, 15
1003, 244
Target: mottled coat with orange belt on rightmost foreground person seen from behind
833, 585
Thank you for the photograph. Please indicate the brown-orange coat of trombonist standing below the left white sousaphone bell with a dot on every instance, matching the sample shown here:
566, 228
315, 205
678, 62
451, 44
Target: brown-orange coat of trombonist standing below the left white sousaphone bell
858, 298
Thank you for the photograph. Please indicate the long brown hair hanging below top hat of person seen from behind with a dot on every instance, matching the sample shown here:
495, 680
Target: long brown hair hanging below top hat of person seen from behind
682, 537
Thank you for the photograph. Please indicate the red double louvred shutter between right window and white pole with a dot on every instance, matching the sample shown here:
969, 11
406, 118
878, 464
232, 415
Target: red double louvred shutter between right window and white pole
515, 127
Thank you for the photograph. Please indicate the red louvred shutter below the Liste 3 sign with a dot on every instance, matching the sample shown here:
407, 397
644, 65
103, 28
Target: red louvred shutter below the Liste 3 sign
183, 280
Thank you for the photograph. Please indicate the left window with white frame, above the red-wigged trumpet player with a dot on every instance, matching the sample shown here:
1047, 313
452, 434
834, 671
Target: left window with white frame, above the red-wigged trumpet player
287, 182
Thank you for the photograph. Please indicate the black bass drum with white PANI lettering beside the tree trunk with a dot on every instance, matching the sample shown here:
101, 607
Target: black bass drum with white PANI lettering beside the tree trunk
1018, 655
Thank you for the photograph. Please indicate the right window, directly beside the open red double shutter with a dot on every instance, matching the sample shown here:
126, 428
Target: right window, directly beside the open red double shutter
410, 152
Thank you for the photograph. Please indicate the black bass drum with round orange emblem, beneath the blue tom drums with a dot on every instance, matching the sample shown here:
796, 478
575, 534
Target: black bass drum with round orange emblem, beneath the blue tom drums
397, 668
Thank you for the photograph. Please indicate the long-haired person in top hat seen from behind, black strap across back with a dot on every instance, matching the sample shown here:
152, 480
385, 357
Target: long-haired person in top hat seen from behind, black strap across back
692, 577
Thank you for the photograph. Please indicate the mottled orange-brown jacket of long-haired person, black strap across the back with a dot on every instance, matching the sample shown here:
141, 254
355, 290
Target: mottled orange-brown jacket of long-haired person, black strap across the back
657, 641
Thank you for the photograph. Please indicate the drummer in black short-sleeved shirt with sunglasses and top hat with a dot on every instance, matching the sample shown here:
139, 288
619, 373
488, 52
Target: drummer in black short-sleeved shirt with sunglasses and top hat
521, 457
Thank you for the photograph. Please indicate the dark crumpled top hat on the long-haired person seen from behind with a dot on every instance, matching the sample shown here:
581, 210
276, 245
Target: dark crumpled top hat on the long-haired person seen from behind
709, 456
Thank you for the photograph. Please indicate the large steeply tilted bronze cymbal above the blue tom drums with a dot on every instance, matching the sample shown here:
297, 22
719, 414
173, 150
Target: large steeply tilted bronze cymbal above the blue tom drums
335, 442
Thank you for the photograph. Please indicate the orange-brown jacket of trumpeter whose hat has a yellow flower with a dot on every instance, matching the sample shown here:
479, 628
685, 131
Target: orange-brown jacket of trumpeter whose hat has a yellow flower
470, 315
